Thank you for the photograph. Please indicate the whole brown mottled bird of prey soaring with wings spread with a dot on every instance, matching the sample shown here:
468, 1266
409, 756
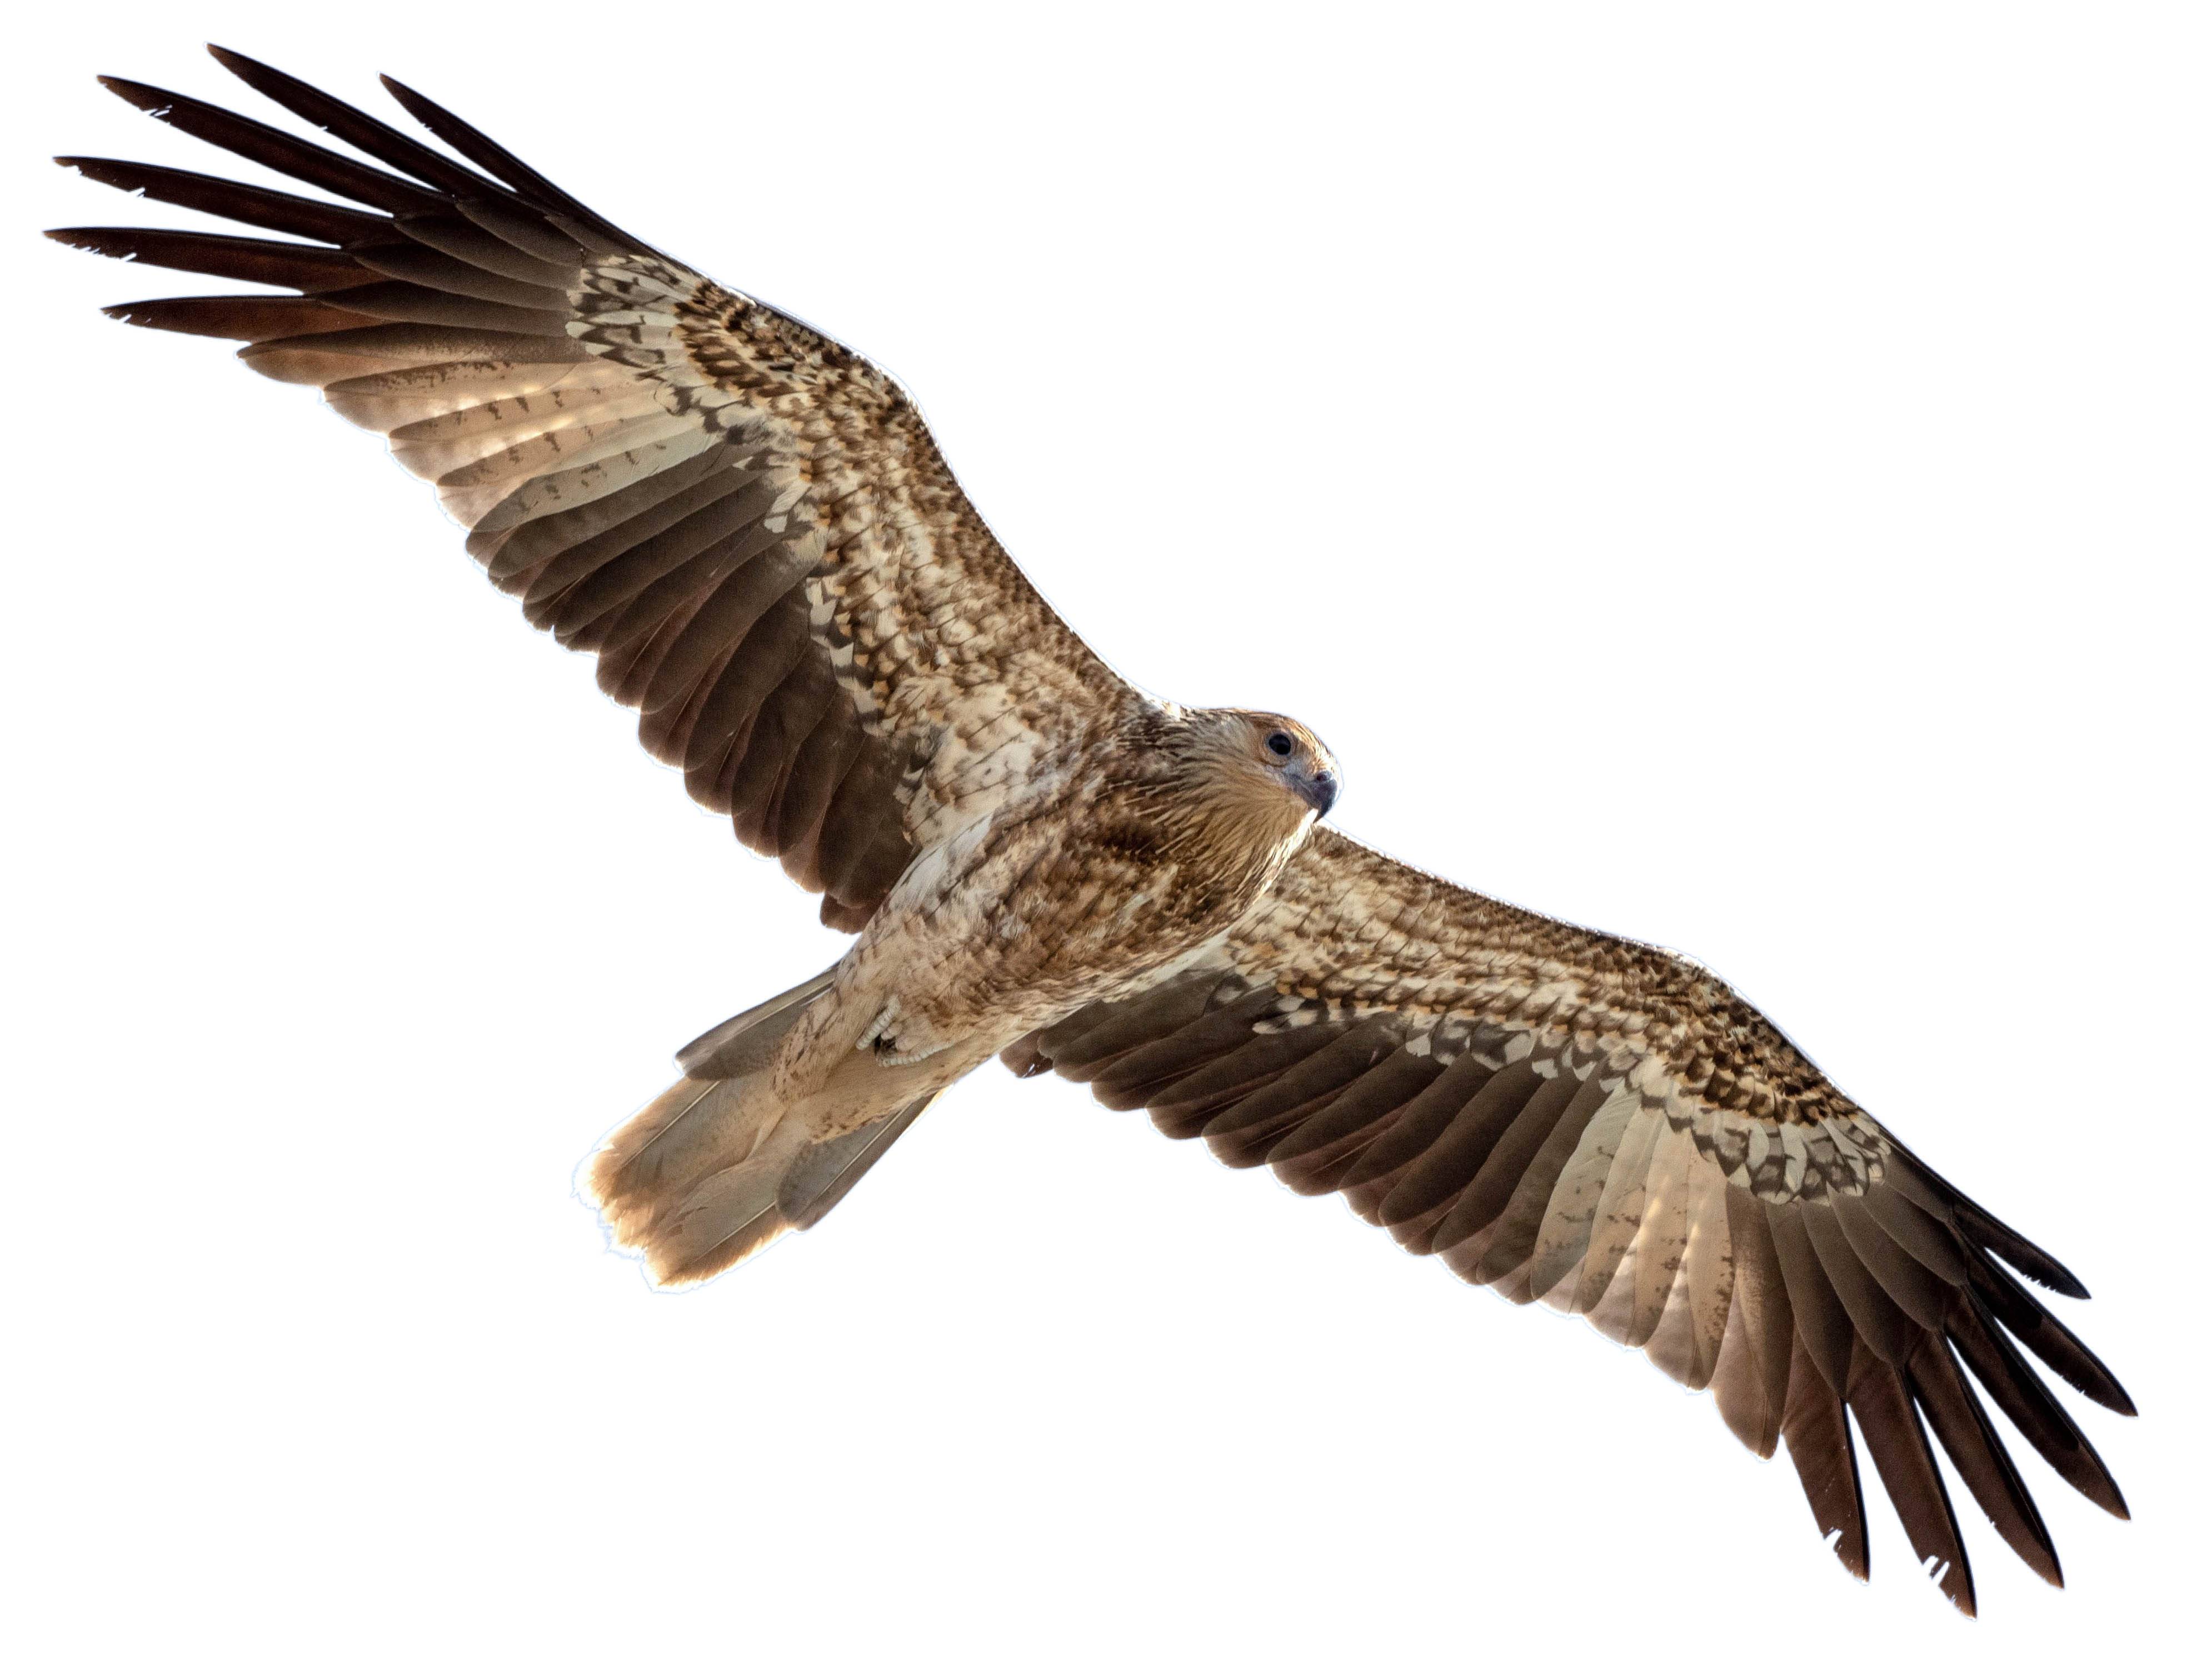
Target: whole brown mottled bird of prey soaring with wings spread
755, 534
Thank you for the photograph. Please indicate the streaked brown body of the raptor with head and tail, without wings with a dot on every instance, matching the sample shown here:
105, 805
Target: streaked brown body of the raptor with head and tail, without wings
1107, 879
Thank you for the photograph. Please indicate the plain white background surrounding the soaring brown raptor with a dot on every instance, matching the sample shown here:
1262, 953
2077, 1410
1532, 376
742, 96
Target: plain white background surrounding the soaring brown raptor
1726, 474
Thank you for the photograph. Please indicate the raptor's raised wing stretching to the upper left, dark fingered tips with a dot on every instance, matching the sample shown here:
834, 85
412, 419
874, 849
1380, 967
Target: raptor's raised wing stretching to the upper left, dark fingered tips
744, 521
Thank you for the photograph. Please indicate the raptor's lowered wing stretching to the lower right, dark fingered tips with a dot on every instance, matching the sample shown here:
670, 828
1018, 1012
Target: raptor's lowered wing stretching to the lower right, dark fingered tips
1605, 1127
